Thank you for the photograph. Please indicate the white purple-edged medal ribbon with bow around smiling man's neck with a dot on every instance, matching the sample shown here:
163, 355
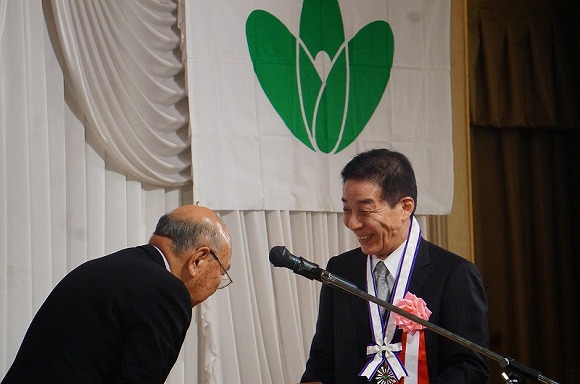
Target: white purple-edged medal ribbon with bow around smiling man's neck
383, 350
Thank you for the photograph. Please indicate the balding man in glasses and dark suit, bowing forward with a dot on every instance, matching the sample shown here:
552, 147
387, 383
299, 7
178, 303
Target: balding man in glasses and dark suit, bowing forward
122, 318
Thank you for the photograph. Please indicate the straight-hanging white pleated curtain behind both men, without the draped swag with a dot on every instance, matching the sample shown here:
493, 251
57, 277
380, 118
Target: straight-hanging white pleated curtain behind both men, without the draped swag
65, 199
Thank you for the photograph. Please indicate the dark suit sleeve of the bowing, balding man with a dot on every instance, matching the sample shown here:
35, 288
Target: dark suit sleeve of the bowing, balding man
155, 329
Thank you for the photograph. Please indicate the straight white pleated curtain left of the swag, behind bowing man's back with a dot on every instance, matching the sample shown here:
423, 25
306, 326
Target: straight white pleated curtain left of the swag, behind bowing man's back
62, 198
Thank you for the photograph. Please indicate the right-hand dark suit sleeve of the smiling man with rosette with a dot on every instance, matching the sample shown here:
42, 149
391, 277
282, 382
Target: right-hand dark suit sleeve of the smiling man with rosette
463, 312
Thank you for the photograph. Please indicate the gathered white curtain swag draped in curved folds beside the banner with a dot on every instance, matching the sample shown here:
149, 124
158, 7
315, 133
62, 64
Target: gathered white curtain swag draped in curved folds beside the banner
121, 59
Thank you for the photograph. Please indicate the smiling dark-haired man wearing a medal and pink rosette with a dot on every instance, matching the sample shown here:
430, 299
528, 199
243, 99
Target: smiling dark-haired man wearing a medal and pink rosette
379, 199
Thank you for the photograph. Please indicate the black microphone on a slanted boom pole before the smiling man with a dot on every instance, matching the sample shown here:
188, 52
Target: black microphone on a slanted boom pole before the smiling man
281, 257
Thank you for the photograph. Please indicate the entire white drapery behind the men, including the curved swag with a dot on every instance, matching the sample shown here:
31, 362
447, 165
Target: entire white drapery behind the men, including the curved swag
66, 196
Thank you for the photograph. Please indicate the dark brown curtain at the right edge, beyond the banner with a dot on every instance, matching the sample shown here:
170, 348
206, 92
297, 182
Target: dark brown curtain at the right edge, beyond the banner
525, 146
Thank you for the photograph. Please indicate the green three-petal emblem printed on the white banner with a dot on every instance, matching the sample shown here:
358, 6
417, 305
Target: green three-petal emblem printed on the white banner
326, 107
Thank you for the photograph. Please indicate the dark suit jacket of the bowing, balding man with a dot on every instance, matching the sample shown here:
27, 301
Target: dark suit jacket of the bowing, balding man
121, 318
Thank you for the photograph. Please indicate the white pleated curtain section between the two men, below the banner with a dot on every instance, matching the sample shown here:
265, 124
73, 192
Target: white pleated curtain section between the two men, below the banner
258, 330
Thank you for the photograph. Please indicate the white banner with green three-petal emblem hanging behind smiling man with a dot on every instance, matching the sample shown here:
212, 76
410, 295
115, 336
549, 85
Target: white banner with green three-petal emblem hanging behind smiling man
284, 93
